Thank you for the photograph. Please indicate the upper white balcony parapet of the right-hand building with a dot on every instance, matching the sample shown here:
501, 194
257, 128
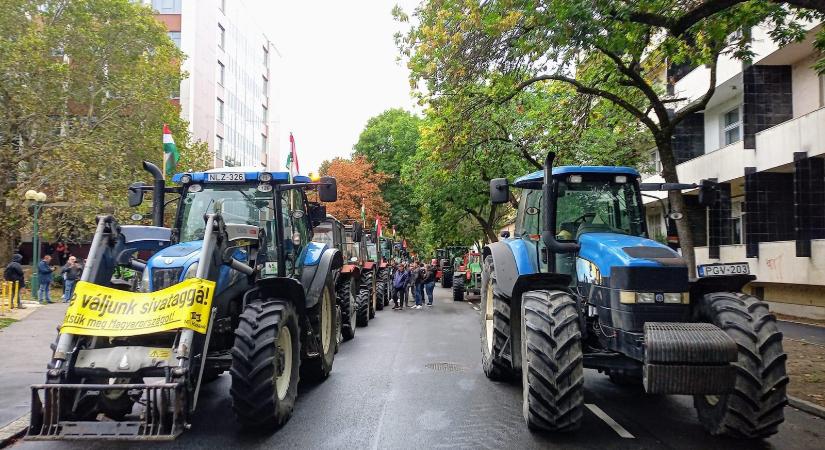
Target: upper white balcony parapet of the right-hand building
776, 145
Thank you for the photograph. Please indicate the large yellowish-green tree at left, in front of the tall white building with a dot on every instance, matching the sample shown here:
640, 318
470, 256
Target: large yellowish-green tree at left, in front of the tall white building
84, 92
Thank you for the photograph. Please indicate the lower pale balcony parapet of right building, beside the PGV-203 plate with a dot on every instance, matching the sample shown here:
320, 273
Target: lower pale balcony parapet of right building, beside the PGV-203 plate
776, 262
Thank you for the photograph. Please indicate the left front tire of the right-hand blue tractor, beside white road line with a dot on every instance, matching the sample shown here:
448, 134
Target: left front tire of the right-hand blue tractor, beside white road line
552, 369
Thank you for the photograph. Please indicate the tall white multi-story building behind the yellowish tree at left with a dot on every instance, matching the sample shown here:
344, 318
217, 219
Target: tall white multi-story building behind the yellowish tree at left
227, 96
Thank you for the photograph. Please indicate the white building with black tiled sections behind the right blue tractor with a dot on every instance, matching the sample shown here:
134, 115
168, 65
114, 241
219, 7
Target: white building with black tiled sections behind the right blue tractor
762, 138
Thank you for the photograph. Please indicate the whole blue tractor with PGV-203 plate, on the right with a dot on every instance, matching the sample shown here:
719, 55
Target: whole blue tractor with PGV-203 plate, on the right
581, 286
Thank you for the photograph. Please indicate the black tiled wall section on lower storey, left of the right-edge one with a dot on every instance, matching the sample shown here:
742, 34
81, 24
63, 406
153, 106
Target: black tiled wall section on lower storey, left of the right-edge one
769, 209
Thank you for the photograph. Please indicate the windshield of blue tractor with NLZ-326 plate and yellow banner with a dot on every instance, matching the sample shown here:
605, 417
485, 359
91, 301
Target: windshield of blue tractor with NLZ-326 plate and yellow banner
237, 204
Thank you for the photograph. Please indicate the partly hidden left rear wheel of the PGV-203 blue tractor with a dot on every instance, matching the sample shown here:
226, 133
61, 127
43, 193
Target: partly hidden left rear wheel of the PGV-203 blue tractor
495, 327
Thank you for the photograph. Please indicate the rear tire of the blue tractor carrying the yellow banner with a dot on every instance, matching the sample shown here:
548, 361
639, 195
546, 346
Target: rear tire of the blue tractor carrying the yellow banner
322, 317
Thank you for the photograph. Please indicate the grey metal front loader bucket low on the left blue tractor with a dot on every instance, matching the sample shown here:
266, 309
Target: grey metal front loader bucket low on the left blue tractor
163, 418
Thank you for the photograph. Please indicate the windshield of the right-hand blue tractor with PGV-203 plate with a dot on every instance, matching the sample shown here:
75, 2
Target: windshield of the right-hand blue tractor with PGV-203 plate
600, 205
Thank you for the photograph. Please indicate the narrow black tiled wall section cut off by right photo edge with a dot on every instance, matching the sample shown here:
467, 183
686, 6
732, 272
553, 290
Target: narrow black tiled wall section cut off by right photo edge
809, 201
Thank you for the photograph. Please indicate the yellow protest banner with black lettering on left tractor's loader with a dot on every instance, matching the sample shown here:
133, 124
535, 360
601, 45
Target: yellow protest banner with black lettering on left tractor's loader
96, 310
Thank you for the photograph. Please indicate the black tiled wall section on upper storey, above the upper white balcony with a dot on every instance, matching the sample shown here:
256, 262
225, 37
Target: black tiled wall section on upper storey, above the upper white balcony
768, 100
